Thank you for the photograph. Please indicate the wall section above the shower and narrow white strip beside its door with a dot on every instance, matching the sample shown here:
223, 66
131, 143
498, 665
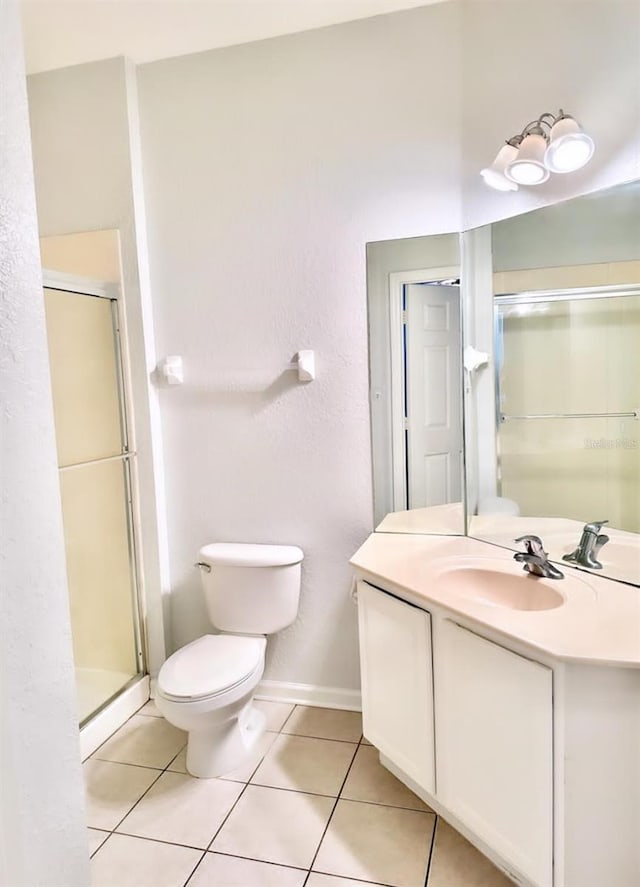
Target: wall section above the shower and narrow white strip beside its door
88, 178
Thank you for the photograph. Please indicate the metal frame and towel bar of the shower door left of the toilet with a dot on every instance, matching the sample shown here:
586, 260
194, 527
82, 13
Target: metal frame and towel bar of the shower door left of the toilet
53, 280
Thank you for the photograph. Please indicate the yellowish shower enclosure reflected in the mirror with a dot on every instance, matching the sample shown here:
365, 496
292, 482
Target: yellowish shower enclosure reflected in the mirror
568, 401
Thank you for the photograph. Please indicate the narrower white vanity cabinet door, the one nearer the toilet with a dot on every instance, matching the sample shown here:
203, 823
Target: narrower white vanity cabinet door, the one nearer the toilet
397, 684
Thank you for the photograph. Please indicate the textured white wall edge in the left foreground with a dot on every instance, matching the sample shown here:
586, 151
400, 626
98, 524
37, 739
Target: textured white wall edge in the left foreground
42, 838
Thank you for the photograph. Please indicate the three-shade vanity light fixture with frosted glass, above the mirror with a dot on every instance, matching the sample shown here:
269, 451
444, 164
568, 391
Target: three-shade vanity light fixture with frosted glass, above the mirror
552, 143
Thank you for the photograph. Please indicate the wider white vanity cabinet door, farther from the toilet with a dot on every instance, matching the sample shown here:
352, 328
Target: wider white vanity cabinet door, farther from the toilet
494, 740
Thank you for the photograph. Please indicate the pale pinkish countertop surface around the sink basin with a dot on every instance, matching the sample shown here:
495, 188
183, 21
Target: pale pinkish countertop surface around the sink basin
598, 623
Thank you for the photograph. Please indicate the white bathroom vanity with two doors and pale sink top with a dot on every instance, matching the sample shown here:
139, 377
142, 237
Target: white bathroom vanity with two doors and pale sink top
510, 704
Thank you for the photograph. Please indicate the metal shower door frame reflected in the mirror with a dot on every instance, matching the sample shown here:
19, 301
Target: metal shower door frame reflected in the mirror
531, 297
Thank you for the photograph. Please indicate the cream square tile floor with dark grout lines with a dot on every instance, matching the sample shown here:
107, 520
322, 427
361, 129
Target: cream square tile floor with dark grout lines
314, 808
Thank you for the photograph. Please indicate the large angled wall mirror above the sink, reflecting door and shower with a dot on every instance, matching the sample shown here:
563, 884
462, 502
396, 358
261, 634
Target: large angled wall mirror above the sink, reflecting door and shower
550, 382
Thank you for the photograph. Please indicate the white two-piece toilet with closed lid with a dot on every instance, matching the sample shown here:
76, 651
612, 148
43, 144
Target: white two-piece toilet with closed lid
207, 687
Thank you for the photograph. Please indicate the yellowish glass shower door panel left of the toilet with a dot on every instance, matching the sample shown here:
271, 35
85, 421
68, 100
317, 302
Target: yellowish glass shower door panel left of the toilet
94, 460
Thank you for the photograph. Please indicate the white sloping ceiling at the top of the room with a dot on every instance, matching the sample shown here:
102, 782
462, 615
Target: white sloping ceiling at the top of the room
58, 33
